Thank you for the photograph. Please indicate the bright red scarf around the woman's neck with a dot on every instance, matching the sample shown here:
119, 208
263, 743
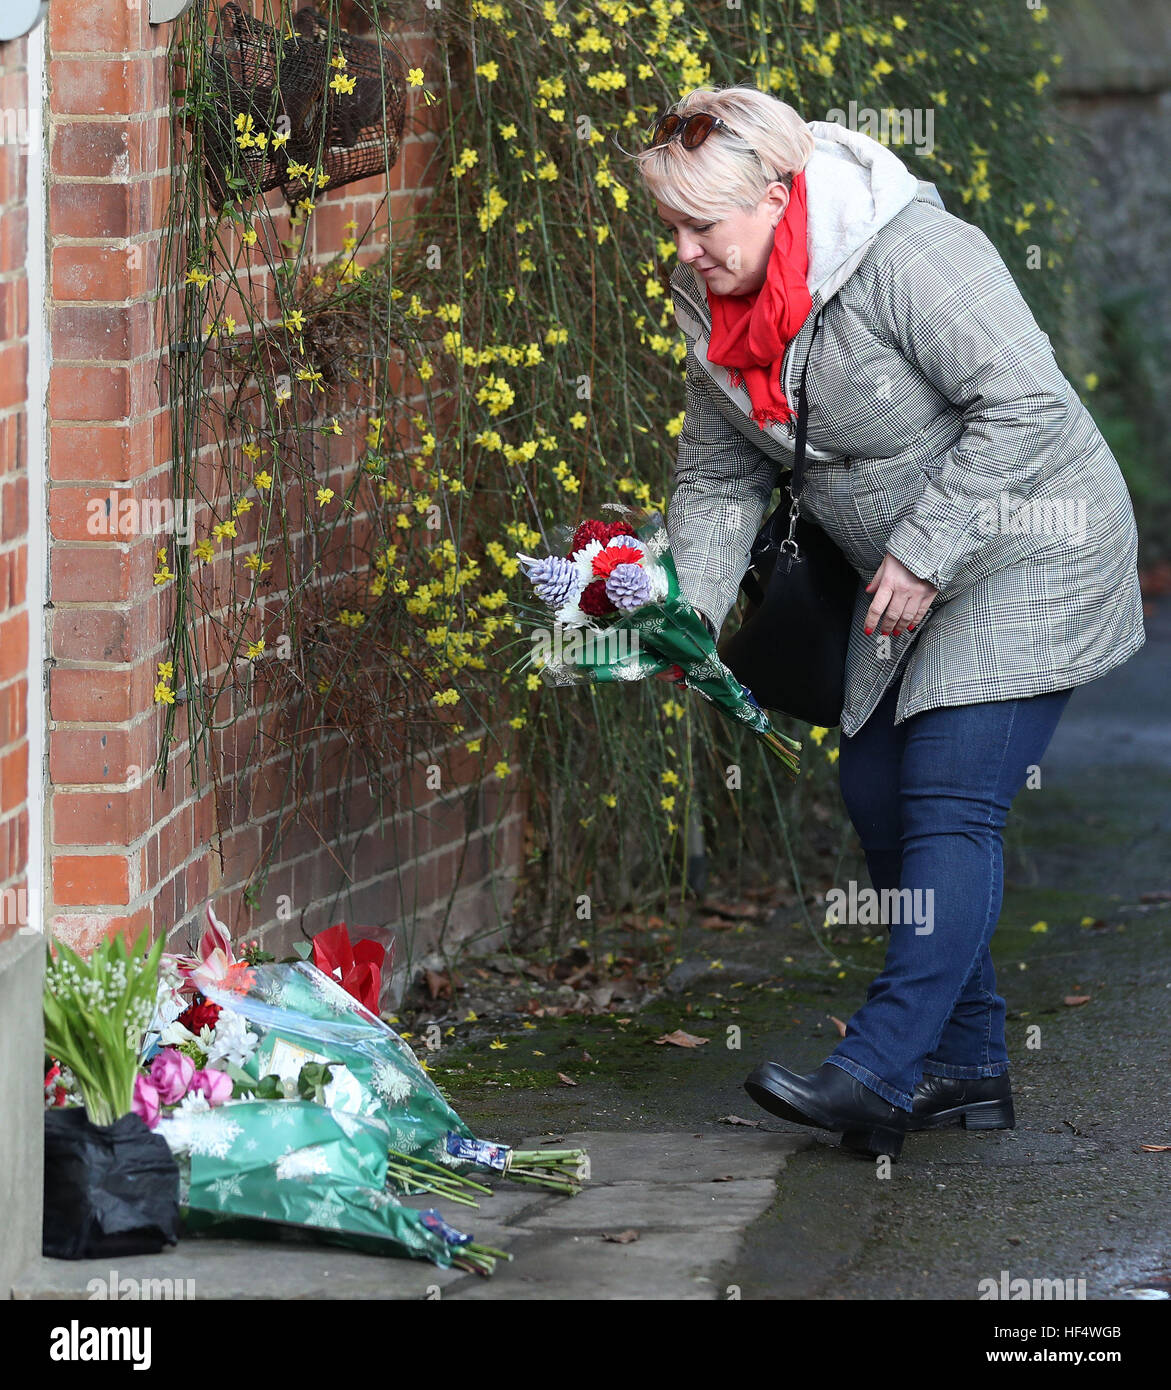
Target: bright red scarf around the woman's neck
752, 332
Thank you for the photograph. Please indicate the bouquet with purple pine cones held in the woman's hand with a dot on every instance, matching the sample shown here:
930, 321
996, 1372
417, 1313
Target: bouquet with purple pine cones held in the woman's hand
620, 616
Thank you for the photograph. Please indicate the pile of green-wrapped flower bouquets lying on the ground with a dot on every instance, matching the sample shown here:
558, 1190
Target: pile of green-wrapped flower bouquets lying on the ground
286, 1099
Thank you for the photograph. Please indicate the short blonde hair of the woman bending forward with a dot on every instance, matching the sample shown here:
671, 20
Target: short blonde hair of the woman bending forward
728, 172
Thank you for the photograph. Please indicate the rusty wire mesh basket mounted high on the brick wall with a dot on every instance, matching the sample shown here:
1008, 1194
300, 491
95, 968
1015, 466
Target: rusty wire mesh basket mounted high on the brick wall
277, 109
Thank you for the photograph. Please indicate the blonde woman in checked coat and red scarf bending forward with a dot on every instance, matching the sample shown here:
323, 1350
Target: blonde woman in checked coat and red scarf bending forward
946, 458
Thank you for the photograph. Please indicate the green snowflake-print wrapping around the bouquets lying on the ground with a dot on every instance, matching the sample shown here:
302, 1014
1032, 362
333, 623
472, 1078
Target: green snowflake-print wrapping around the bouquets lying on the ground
318, 1163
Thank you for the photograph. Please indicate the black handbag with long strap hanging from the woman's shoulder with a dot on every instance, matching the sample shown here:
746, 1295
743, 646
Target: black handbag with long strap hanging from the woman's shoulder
791, 650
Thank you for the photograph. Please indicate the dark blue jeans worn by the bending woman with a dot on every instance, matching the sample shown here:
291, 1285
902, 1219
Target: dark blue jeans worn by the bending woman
930, 800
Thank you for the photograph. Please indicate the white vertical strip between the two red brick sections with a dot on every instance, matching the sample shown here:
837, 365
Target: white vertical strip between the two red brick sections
40, 355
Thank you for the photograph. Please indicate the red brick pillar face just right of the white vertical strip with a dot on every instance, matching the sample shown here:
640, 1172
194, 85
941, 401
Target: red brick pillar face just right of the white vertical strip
109, 439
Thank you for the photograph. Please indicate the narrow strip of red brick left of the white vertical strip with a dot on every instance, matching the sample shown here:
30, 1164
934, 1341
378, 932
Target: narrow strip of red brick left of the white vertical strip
15, 633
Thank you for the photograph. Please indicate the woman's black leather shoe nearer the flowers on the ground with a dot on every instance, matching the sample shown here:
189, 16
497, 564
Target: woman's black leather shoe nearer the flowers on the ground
831, 1099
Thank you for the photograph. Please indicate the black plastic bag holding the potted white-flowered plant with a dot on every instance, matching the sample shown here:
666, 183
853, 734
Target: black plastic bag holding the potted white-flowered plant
109, 1189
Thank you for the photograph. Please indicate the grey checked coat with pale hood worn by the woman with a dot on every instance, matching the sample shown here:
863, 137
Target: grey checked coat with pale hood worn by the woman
941, 432
